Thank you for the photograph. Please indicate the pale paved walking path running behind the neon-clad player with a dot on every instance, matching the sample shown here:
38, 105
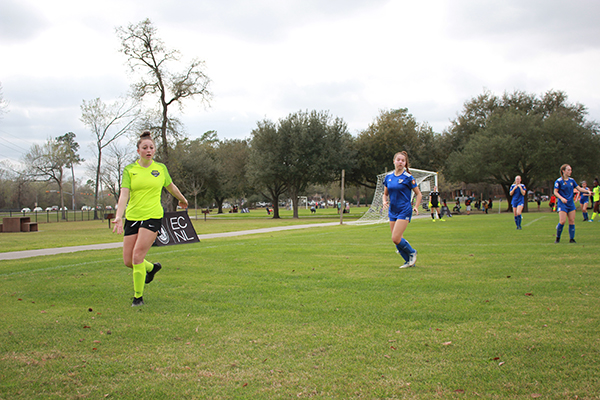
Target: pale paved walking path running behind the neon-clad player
14, 255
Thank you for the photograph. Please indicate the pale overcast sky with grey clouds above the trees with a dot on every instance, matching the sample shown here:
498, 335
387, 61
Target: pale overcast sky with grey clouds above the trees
269, 58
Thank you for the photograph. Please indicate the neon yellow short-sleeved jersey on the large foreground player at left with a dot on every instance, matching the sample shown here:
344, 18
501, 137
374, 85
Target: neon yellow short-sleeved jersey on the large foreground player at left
145, 187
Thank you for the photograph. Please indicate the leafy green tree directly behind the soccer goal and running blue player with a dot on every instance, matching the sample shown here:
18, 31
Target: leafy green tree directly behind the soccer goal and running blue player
391, 132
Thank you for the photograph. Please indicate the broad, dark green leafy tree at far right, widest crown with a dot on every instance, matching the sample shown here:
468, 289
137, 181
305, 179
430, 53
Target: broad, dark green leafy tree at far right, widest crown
497, 138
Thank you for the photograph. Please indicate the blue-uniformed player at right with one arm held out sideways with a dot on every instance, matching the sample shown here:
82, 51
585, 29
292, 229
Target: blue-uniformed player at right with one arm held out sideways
564, 188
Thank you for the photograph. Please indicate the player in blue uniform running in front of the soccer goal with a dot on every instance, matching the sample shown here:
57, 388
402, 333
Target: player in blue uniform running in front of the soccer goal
397, 196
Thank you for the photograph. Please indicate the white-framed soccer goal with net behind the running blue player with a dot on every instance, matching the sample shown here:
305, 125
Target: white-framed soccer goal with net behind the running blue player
376, 214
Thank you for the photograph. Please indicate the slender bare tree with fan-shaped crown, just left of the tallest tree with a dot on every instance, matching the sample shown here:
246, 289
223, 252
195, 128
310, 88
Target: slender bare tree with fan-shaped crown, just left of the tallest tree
108, 122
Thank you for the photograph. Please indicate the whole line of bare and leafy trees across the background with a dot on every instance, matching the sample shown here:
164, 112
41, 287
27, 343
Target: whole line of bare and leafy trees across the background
492, 139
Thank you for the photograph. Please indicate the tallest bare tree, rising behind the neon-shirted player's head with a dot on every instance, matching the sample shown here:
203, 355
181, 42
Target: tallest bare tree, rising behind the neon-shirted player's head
147, 54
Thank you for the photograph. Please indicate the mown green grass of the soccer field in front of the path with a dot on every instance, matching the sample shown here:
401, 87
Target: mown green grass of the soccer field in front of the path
489, 312
